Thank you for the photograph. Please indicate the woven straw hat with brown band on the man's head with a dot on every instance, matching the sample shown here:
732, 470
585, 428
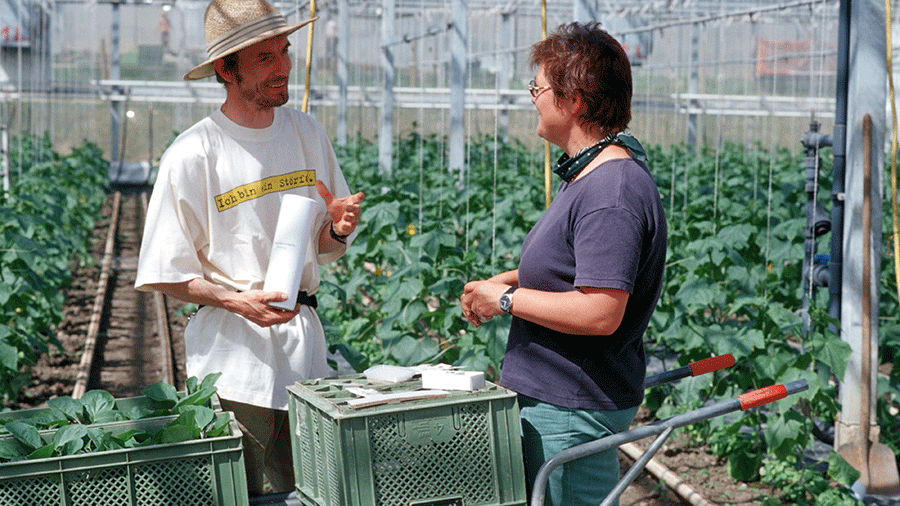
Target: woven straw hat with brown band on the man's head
232, 25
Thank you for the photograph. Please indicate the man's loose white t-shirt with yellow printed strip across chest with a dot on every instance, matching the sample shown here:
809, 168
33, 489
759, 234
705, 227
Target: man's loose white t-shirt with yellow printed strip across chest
212, 215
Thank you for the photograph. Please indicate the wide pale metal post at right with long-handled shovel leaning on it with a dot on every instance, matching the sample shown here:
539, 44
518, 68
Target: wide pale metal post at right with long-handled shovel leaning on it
866, 96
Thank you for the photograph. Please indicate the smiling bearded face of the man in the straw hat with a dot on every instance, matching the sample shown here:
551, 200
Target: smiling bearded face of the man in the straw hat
262, 73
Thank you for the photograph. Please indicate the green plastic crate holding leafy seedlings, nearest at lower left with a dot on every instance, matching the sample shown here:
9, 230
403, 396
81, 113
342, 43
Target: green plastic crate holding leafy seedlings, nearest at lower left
202, 472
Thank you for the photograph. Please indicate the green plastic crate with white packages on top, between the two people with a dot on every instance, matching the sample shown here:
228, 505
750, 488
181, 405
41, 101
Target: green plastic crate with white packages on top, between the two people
461, 449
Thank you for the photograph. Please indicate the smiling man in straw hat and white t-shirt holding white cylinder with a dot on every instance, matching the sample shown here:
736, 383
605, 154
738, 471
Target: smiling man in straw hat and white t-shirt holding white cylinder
211, 222
